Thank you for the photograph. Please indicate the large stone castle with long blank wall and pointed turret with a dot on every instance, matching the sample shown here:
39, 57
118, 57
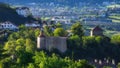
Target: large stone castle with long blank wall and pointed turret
50, 43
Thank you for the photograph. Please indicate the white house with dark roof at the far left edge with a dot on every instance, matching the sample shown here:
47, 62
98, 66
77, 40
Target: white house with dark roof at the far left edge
8, 25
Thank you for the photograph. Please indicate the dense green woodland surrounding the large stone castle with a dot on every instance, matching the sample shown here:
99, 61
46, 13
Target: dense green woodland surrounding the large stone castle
19, 50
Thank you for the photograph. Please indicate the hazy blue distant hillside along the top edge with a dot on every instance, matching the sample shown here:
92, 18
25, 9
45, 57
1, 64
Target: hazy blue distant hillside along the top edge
64, 2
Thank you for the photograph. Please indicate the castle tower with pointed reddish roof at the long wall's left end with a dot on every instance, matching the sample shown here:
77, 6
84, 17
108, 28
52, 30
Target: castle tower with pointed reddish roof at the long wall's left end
41, 41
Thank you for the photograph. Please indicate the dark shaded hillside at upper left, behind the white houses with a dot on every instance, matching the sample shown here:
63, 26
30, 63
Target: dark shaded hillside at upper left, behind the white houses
9, 14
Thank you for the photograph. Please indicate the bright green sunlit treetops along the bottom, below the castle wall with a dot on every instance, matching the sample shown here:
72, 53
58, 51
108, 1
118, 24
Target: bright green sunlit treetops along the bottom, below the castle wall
42, 60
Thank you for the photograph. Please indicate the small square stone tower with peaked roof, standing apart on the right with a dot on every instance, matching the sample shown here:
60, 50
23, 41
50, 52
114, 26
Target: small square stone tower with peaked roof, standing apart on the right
97, 31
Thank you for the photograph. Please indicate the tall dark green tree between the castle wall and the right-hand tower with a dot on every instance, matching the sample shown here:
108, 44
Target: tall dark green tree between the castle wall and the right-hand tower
77, 29
